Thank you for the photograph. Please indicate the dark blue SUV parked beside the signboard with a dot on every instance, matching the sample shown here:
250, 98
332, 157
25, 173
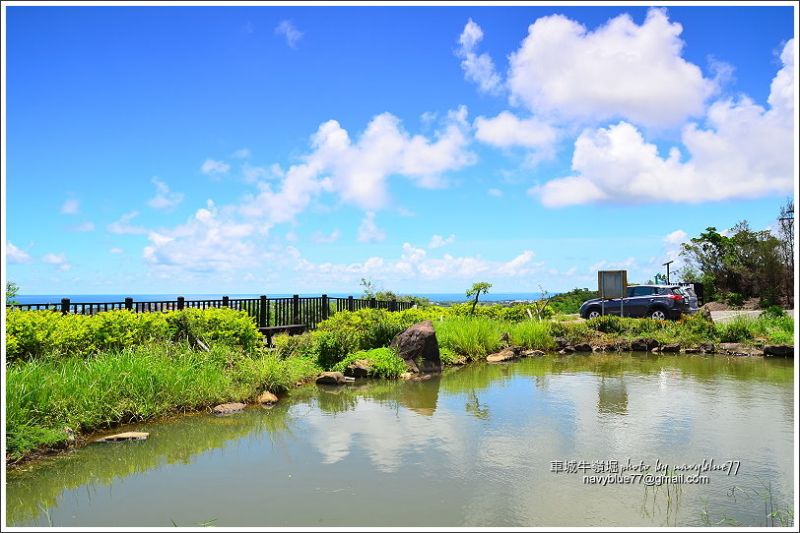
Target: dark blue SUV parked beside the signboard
661, 302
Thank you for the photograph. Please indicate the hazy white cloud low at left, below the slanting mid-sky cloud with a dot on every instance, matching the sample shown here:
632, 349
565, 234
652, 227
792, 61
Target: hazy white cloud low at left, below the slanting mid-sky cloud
209, 241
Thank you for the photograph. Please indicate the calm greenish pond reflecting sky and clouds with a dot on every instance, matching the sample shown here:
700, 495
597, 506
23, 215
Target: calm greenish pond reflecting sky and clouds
522, 444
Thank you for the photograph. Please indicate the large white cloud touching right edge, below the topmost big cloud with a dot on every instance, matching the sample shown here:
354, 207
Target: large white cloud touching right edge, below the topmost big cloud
744, 151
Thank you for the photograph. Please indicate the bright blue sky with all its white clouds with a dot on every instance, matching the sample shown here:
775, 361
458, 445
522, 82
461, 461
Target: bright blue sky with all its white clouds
299, 149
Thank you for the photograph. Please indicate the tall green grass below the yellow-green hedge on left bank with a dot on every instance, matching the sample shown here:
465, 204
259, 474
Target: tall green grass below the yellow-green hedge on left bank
84, 394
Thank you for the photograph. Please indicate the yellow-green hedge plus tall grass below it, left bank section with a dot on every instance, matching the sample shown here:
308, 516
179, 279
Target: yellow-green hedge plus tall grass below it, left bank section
95, 372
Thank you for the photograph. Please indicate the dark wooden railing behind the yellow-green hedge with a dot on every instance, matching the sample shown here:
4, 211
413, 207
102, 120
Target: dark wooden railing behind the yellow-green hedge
268, 313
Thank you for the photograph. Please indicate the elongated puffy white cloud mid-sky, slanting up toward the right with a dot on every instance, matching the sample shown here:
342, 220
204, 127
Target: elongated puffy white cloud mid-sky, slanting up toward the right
358, 171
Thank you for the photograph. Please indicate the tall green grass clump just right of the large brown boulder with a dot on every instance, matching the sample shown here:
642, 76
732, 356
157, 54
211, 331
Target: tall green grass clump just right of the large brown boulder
473, 337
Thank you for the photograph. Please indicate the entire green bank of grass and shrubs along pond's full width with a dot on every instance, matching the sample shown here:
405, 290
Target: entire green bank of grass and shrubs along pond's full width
94, 372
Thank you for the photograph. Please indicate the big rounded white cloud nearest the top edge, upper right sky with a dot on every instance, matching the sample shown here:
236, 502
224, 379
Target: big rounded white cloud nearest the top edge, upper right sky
619, 70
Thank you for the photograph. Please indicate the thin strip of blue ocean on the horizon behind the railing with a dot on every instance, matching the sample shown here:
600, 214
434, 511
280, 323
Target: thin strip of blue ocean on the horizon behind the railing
93, 298
